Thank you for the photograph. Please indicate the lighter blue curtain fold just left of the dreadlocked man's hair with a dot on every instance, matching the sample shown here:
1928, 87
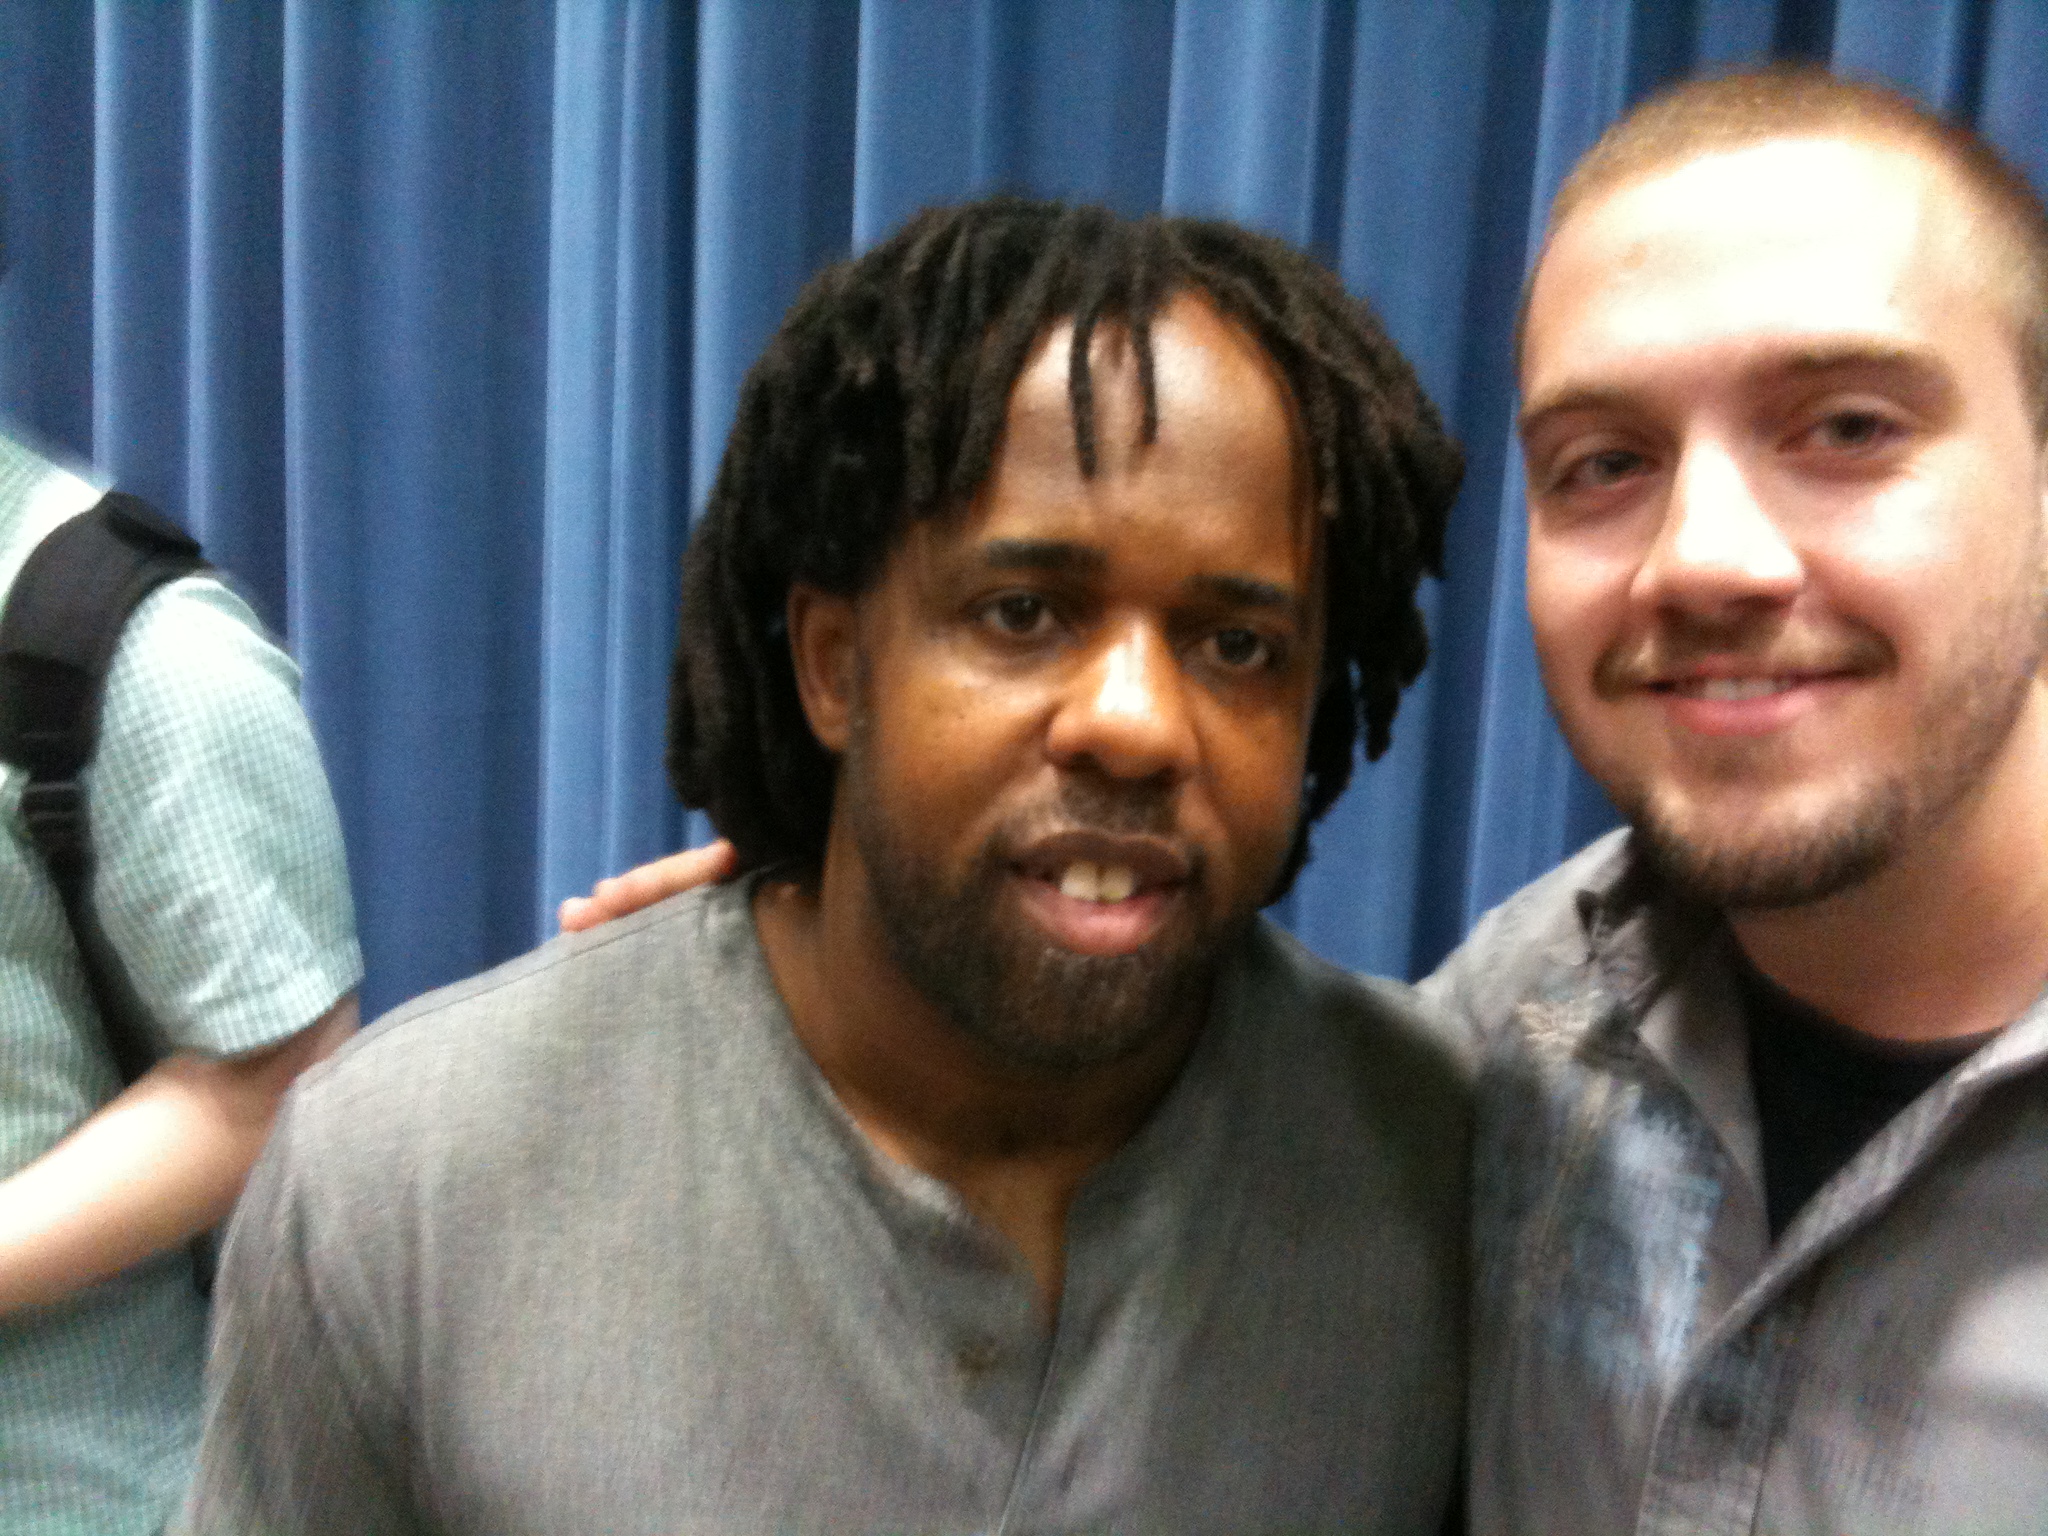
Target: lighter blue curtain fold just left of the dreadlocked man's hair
617, 421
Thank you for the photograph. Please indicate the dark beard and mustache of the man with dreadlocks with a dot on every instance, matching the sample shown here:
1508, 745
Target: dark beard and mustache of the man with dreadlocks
996, 978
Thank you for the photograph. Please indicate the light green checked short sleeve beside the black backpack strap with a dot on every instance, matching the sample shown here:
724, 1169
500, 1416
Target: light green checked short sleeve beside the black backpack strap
208, 781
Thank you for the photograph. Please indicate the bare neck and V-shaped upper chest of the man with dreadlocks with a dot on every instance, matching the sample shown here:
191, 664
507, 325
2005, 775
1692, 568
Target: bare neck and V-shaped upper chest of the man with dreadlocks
1015, 1142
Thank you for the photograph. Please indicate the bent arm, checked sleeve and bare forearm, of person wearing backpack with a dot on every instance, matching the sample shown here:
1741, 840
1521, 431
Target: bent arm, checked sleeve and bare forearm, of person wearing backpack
220, 884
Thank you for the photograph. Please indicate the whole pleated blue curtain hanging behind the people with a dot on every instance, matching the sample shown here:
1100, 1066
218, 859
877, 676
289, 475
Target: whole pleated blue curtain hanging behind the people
429, 316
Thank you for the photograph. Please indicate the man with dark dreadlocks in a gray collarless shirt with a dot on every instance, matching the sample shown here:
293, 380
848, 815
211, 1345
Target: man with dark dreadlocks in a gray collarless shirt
978, 1160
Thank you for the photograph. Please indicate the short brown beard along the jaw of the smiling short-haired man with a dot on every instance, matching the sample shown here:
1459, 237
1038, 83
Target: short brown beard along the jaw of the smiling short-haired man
1795, 861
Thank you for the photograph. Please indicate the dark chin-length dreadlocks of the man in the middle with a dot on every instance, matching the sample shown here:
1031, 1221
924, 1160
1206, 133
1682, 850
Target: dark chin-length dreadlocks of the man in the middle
884, 398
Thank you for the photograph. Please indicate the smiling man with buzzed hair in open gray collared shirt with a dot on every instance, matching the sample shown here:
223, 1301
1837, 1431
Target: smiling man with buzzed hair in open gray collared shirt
1762, 1193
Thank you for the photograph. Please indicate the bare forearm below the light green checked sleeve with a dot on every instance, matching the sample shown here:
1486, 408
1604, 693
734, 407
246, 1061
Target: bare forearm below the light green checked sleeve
153, 1168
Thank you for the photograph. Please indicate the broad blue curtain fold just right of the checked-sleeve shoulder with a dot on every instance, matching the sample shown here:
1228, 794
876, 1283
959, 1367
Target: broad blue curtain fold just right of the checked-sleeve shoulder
417, 234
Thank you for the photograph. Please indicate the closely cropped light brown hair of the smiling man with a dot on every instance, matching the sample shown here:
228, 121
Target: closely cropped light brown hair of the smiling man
1736, 112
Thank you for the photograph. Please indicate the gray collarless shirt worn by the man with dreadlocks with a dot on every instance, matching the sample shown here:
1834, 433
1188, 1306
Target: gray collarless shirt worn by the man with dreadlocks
589, 1246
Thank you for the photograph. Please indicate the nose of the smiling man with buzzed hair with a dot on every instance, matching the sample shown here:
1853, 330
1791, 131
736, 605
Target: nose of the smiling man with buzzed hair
1719, 546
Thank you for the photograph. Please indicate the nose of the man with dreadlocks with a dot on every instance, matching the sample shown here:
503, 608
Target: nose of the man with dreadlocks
1125, 710
